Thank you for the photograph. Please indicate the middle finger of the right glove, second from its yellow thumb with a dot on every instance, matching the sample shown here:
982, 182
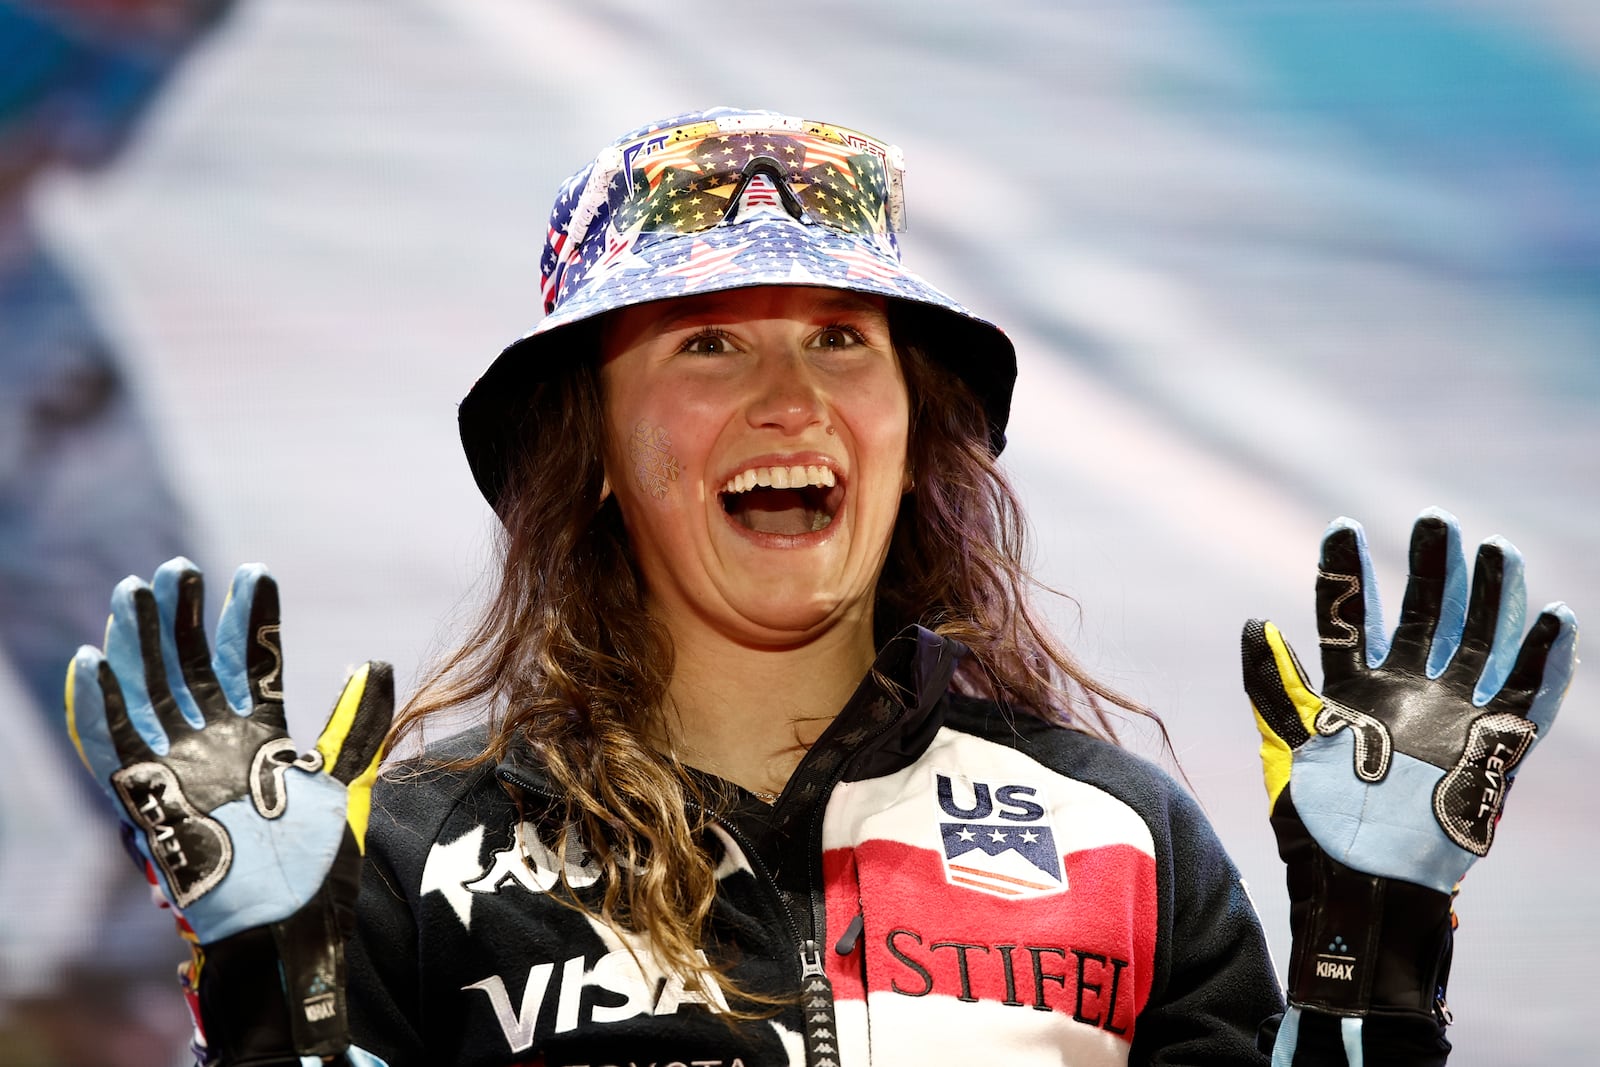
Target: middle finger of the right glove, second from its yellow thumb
1436, 597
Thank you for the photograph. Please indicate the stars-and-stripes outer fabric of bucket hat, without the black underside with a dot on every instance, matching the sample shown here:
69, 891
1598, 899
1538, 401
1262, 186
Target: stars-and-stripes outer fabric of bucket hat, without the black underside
662, 230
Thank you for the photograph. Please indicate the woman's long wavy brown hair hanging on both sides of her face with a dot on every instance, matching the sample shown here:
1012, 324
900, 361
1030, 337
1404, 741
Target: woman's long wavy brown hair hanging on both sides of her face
572, 666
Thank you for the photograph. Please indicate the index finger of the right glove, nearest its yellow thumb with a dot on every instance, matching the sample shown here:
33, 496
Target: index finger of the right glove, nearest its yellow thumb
1350, 617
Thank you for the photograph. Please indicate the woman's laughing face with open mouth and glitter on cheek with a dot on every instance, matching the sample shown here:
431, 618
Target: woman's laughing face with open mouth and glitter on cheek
756, 442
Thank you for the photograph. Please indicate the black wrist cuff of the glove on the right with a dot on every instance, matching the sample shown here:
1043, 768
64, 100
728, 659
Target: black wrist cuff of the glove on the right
1362, 945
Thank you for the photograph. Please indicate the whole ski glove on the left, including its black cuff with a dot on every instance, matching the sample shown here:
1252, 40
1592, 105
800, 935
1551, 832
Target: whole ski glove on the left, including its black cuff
257, 845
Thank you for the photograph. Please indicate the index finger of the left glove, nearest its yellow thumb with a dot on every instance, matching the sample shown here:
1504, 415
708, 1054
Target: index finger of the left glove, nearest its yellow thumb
249, 657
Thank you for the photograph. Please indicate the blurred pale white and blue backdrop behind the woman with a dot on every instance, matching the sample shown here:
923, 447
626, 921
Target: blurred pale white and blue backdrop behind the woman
1265, 265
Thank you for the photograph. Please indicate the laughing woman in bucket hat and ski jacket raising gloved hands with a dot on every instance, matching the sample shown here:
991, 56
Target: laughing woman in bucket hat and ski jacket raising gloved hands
778, 769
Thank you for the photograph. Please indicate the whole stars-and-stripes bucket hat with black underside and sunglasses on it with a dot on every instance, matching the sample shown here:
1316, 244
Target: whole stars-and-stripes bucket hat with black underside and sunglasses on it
718, 201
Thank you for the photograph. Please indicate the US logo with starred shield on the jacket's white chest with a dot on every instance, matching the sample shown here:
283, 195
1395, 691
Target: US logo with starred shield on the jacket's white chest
998, 837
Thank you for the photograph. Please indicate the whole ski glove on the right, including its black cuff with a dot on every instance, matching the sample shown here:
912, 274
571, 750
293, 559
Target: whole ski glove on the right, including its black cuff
1388, 786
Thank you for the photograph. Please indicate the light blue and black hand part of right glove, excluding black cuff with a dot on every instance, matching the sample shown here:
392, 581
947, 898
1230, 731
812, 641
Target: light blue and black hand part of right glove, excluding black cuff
1401, 764
